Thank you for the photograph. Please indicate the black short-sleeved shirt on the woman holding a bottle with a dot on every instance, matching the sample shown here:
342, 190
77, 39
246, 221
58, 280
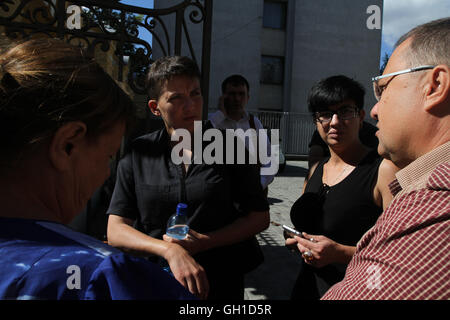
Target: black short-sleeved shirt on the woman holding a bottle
149, 186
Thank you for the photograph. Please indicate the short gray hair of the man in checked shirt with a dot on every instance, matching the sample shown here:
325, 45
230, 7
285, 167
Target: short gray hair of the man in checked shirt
430, 43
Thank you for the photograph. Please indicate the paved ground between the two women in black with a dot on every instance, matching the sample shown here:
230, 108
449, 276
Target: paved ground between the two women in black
273, 280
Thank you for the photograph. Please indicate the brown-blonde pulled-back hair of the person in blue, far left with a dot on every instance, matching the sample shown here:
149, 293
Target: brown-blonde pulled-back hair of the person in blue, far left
45, 83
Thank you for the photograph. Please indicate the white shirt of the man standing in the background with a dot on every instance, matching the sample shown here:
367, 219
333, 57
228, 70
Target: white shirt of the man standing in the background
220, 121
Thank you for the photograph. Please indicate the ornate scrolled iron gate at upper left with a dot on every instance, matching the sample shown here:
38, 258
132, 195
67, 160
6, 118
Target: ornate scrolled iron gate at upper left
107, 22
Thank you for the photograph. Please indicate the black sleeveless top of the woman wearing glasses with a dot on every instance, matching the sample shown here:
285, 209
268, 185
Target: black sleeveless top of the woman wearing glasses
343, 213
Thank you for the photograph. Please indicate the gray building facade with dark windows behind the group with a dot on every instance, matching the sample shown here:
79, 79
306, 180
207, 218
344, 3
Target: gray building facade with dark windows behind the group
284, 46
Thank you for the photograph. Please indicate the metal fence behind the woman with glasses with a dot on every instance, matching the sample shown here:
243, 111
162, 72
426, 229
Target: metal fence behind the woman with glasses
296, 129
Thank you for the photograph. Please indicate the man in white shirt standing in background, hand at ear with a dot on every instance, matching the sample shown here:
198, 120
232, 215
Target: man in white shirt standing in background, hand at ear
232, 114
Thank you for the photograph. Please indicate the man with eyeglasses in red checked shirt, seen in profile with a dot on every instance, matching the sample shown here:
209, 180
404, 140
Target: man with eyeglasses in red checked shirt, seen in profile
406, 255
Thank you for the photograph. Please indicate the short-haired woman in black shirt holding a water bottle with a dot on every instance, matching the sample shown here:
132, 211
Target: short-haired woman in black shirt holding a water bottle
226, 203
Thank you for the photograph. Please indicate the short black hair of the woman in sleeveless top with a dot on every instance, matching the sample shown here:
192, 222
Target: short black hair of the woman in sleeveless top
334, 90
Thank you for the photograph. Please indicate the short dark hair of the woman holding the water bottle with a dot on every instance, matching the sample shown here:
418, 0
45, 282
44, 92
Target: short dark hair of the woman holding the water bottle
163, 69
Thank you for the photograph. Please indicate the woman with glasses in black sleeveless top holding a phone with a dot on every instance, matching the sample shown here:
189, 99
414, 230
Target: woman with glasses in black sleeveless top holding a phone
344, 193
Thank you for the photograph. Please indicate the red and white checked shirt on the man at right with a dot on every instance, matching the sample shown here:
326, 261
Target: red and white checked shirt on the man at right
406, 254
